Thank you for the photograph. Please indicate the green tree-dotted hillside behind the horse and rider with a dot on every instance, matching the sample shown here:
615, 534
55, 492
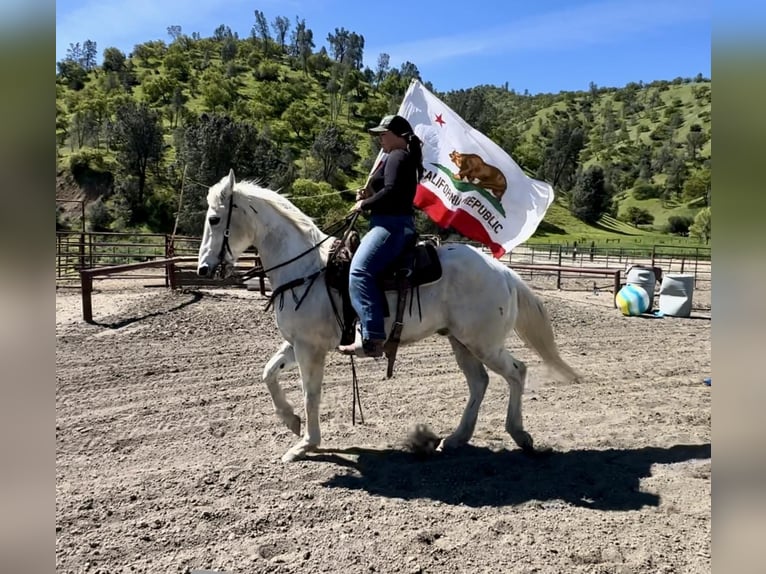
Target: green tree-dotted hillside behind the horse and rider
294, 115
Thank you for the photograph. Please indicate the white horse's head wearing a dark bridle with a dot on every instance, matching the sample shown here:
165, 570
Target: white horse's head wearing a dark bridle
225, 236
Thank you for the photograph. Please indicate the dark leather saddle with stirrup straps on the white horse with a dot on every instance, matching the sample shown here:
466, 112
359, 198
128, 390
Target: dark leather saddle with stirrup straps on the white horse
417, 265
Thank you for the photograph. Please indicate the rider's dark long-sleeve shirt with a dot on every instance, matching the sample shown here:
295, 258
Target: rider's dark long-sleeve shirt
394, 184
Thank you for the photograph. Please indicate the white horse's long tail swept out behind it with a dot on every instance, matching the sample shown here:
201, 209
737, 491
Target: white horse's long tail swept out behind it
533, 326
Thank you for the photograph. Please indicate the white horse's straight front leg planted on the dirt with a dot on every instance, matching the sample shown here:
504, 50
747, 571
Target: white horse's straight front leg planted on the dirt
311, 364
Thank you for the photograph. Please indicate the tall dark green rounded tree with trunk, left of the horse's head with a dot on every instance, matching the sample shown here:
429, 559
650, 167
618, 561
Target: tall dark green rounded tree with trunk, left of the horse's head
136, 135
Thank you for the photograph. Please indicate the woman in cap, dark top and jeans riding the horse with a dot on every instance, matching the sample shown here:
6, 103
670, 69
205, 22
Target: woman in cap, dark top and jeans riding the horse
388, 198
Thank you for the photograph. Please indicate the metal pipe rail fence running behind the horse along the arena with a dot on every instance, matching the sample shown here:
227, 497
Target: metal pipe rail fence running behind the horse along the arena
82, 256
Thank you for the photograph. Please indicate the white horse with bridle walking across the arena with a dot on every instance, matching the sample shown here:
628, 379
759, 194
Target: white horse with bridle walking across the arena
476, 304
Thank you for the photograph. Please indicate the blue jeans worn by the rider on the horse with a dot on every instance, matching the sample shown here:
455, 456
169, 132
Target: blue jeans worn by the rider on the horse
383, 243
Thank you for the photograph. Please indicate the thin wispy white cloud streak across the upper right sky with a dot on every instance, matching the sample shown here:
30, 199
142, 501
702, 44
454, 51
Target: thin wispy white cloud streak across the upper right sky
586, 24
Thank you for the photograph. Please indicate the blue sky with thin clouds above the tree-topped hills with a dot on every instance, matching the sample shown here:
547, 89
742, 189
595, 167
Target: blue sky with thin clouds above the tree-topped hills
539, 45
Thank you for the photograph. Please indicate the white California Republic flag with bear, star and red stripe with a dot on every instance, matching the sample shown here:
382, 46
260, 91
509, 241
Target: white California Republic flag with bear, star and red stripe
470, 183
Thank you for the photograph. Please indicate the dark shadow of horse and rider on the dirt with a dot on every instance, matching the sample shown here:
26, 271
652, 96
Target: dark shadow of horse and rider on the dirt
477, 476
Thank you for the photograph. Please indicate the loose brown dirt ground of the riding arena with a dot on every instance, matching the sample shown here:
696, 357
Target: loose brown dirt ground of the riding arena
168, 450
